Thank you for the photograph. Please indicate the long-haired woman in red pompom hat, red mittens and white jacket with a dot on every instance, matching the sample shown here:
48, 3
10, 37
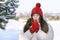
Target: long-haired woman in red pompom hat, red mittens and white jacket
36, 27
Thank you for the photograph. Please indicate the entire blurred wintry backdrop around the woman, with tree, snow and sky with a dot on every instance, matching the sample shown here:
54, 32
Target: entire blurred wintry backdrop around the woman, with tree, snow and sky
14, 14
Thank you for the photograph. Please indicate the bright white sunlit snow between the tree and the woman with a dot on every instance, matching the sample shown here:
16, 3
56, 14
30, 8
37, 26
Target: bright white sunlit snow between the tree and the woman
16, 25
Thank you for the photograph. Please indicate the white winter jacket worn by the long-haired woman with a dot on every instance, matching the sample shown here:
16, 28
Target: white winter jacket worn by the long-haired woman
38, 36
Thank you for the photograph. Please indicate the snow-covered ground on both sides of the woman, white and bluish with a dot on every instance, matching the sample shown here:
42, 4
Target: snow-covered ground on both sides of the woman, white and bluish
13, 28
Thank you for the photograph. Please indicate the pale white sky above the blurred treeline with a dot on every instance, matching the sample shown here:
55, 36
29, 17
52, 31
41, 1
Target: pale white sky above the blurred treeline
50, 6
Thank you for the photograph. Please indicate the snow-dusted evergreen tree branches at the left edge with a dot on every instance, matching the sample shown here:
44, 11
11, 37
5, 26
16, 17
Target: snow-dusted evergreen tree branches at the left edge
7, 9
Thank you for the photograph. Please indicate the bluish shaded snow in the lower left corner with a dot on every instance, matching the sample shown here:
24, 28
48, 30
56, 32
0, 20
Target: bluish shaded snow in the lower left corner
9, 35
